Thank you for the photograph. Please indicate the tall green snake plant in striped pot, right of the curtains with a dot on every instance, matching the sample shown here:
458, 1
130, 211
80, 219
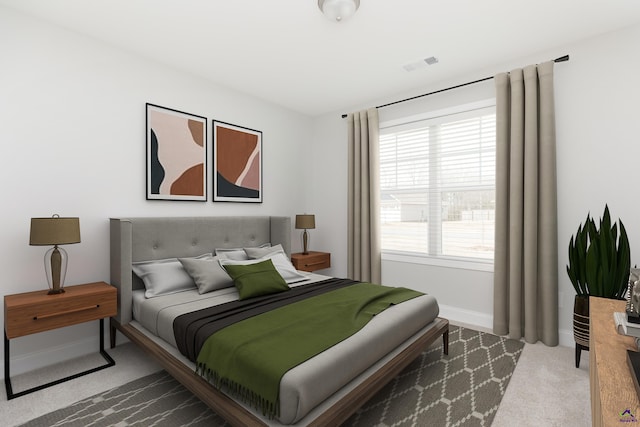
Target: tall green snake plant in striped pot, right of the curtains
599, 262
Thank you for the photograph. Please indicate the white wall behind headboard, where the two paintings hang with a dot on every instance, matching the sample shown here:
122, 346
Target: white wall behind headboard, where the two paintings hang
72, 142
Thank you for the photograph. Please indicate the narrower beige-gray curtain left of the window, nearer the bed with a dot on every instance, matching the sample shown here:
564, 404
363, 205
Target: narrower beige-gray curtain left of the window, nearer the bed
363, 226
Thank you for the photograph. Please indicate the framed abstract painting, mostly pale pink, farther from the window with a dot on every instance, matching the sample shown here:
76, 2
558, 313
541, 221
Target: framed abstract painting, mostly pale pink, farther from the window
176, 155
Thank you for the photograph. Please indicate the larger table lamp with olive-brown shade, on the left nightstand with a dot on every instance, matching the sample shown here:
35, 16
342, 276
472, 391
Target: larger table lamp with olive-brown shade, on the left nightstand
55, 231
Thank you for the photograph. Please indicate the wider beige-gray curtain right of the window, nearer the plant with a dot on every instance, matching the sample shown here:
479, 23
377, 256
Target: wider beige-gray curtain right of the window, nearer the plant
526, 243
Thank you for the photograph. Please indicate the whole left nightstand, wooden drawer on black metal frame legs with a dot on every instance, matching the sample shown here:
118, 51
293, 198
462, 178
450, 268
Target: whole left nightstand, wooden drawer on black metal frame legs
32, 312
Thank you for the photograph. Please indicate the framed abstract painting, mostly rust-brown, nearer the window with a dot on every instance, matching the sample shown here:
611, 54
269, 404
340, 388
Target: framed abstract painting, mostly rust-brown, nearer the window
237, 163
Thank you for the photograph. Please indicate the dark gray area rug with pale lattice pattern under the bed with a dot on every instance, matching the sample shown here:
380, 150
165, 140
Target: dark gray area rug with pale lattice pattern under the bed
462, 389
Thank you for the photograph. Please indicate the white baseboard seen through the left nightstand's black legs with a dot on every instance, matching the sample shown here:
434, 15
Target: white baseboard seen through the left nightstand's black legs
39, 359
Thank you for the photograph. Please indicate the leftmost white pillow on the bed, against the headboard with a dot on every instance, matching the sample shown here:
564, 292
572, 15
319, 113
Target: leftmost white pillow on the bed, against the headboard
164, 276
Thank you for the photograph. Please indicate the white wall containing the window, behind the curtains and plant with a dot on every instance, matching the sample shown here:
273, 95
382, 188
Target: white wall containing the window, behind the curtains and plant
596, 116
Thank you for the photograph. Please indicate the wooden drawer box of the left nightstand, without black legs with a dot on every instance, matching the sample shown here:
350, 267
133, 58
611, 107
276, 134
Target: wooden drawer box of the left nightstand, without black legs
44, 312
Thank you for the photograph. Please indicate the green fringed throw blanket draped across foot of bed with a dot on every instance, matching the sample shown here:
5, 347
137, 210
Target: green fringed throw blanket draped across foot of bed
250, 357
